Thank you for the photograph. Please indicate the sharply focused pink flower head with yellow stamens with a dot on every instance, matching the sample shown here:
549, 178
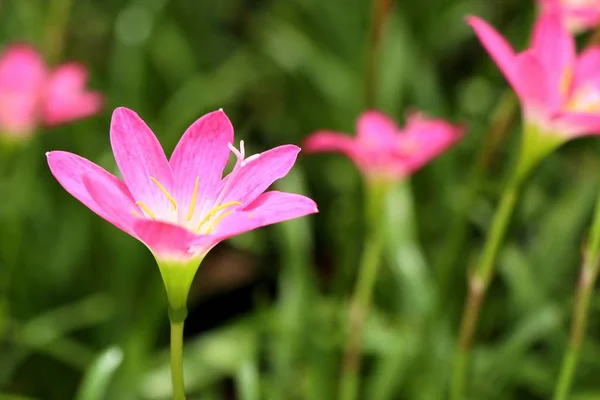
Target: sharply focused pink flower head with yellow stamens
180, 208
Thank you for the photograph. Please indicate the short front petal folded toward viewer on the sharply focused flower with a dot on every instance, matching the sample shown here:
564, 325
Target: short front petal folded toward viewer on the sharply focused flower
167, 242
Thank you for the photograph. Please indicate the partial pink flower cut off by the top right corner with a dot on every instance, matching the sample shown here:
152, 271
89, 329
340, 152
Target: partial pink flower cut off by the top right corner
577, 15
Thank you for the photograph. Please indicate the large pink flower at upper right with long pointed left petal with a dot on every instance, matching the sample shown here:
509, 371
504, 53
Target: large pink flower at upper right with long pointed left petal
559, 90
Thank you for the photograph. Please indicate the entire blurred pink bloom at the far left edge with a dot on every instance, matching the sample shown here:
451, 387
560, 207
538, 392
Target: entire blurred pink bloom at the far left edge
31, 95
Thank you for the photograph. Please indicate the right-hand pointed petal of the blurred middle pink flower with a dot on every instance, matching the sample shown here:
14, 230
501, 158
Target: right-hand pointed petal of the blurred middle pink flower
430, 138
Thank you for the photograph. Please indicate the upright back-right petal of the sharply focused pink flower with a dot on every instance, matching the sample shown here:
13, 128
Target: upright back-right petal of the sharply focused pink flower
202, 153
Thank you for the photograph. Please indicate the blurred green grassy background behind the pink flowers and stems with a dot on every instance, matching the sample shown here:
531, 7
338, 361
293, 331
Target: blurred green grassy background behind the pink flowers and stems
82, 308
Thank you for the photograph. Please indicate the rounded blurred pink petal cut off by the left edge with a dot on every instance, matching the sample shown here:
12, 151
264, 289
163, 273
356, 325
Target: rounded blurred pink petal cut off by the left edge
22, 79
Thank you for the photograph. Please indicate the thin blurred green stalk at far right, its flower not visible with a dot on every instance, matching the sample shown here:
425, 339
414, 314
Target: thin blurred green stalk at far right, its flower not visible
585, 290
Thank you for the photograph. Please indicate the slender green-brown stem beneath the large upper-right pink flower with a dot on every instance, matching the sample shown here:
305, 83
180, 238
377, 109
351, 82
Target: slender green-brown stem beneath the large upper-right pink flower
479, 282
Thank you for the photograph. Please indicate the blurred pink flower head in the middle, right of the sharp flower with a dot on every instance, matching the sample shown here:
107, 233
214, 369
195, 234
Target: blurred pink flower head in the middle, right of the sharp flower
382, 150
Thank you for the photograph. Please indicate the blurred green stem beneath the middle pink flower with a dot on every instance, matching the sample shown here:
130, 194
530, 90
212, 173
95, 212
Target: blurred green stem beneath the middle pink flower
361, 298
